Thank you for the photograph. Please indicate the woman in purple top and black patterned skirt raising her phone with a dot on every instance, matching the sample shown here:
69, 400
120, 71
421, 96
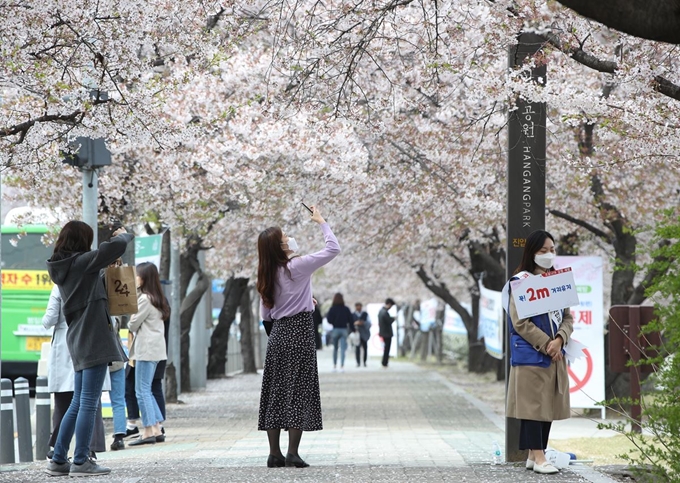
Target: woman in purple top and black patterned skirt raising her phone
290, 397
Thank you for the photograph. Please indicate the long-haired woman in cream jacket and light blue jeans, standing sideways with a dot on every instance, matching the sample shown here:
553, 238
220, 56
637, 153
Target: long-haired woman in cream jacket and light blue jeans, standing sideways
148, 348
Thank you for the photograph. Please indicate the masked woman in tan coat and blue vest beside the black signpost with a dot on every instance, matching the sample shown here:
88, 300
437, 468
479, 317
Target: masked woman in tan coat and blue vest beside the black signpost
538, 389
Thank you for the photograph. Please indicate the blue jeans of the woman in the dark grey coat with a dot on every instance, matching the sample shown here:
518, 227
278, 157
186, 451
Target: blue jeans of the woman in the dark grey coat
79, 417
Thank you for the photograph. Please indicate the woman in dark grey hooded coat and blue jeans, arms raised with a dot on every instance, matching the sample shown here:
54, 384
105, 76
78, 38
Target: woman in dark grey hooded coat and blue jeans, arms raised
91, 340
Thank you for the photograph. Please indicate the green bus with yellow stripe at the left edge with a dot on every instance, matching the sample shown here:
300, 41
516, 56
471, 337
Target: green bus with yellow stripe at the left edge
26, 290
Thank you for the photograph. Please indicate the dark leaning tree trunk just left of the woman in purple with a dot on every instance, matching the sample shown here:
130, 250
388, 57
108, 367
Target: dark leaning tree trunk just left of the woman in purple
219, 340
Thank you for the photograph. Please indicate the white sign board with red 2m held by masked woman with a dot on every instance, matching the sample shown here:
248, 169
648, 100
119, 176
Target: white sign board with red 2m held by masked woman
542, 293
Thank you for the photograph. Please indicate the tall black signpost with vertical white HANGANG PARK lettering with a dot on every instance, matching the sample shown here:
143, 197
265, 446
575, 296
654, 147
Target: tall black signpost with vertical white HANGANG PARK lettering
526, 188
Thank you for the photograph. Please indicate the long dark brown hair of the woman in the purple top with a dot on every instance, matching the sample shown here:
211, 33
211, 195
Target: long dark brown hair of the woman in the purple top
271, 258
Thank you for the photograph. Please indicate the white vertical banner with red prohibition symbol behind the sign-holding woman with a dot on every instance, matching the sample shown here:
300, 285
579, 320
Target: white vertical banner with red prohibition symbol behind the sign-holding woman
586, 374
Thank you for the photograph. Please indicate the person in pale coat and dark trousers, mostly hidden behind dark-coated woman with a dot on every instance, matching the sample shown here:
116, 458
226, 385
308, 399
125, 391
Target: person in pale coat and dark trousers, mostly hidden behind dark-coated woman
60, 376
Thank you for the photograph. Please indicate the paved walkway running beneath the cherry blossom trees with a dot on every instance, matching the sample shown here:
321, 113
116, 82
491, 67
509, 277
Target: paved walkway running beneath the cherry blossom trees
403, 424
